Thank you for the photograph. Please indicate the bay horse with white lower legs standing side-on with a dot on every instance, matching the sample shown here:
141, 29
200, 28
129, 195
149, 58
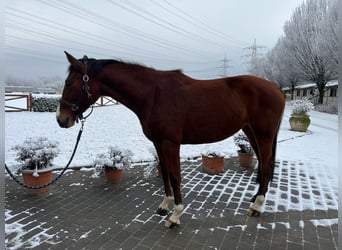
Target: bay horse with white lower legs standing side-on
175, 109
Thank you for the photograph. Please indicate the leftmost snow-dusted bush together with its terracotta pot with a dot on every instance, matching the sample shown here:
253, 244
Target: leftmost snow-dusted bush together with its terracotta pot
36, 155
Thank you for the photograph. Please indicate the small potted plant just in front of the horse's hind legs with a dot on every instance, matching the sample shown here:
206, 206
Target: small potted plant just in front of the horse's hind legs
245, 152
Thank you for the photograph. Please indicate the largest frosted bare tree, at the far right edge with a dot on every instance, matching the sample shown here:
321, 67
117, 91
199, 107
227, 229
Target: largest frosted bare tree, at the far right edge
306, 43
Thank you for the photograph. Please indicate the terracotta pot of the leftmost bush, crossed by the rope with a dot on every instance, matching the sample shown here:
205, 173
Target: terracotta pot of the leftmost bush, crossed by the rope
45, 176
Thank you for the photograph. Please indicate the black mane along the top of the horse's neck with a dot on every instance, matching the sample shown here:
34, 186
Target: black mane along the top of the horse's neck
97, 65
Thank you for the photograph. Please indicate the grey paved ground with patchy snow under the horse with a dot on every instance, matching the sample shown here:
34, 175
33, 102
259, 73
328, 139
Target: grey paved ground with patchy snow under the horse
80, 212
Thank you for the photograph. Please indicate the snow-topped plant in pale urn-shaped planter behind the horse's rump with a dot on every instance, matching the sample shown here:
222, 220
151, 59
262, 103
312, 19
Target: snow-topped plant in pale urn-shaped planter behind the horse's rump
300, 120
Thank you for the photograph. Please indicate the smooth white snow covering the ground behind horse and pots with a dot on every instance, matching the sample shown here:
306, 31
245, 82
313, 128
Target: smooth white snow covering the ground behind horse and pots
116, 125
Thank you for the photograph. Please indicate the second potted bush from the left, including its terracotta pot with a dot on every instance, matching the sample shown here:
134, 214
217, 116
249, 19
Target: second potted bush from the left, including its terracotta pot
113, 163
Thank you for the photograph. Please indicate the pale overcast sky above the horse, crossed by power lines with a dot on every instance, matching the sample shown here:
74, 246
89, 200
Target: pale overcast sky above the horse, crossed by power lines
192, 35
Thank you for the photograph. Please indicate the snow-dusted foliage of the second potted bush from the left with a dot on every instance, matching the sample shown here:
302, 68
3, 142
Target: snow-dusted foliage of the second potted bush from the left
115, 158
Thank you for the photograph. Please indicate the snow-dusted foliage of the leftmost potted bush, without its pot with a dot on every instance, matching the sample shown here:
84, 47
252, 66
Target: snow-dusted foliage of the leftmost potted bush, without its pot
36, 152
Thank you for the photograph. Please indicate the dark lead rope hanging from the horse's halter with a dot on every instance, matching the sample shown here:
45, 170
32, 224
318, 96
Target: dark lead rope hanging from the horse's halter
61, 173
